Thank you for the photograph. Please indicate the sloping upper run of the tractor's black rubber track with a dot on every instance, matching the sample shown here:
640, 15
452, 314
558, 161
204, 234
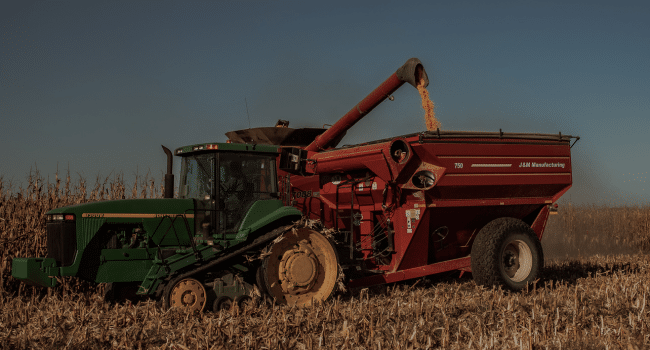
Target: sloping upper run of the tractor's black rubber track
258, 242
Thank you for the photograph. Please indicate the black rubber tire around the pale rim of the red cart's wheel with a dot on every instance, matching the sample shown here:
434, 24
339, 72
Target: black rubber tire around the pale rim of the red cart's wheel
486, 249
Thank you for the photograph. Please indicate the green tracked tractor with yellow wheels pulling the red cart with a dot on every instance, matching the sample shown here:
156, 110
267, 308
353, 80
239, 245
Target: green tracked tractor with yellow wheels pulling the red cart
226, 238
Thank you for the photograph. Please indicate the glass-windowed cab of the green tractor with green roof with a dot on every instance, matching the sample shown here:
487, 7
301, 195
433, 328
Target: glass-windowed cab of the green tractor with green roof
226, 180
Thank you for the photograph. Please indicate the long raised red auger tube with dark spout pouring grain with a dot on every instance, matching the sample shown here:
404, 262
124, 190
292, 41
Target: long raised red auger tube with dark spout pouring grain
411, 72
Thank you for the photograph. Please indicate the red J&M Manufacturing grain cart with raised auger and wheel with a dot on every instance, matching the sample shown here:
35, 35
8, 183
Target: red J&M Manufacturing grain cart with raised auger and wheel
429, 202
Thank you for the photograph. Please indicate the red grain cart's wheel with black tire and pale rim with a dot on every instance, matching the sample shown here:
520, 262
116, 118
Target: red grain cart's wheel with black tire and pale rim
506, 253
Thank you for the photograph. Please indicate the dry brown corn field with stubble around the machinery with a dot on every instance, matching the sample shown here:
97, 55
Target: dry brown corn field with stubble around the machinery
593, 294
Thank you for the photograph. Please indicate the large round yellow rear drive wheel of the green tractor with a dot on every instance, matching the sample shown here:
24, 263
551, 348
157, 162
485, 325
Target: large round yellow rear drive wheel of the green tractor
302, 267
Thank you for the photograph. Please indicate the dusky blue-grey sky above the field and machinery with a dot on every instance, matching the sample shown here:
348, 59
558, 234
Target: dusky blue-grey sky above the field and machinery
99, 86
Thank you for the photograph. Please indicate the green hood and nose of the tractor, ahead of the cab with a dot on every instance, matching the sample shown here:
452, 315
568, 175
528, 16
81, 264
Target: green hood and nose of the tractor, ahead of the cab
78, 240
